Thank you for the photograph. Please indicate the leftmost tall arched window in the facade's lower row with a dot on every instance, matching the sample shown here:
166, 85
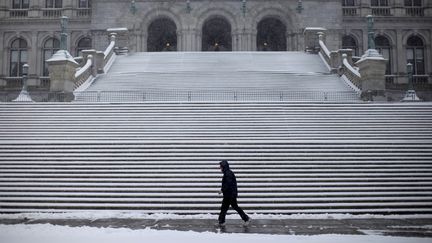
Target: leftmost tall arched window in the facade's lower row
18, 57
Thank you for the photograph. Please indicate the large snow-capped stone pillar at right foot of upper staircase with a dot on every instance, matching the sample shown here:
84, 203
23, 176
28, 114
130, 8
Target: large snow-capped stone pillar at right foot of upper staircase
372, 71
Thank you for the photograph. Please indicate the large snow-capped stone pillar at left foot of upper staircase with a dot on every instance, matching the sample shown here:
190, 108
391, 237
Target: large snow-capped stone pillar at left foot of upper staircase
62, 68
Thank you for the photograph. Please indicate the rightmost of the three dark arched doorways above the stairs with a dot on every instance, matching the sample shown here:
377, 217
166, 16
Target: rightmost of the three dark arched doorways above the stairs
271, 35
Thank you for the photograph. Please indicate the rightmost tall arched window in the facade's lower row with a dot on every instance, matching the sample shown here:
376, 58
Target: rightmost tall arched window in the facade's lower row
415, 54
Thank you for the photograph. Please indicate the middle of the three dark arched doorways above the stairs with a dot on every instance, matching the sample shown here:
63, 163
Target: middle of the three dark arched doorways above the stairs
216, 35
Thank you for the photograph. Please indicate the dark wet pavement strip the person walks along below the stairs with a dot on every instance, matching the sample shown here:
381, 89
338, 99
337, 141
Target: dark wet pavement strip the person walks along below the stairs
411, 227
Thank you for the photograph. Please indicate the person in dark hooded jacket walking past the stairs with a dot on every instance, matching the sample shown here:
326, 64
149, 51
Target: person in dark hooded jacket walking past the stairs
229, 190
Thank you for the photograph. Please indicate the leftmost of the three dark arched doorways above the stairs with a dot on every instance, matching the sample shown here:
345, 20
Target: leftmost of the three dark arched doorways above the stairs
162, 35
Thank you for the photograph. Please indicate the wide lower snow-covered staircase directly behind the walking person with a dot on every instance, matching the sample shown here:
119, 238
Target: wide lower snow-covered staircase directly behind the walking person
163, 157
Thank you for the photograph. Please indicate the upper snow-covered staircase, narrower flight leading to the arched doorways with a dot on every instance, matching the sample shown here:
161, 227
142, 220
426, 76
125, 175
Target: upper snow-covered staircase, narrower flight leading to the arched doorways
218, 76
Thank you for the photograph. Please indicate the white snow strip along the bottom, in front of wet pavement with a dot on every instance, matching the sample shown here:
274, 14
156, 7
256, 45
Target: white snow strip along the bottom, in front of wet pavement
45, 233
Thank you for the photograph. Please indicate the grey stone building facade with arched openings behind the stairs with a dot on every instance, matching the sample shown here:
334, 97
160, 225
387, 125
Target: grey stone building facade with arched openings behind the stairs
30, 29
